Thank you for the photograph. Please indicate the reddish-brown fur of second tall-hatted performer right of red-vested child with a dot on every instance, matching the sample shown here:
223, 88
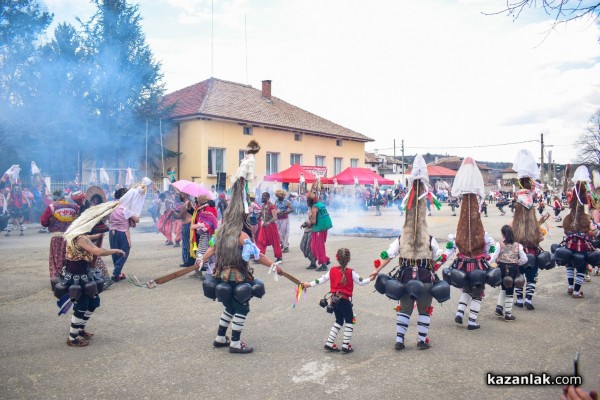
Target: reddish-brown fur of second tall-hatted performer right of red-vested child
470, 234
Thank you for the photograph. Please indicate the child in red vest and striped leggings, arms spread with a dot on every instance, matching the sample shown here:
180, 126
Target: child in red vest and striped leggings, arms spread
342, 281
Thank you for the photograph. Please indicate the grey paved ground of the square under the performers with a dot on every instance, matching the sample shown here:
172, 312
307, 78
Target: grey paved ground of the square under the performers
158, 343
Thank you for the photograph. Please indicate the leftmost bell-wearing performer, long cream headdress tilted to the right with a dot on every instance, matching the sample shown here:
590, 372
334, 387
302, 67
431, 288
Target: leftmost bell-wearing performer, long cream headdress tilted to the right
83, 286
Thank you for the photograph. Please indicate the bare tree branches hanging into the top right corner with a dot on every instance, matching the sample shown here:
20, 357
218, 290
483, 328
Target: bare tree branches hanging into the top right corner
562, 11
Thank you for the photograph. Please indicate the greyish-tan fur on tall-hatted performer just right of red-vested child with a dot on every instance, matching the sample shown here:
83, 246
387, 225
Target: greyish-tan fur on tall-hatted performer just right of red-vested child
414, 242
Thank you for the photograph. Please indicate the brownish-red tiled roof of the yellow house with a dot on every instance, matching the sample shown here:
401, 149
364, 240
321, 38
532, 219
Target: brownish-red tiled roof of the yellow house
216, 98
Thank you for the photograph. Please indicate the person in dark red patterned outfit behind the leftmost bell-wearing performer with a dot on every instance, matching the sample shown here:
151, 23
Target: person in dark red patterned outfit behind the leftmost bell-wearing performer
57, 217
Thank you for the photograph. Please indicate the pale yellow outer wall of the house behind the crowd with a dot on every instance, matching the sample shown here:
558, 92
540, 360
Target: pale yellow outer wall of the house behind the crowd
197, 136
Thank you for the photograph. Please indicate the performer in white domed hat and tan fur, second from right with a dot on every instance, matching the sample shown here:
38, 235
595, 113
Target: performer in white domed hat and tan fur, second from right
526, 226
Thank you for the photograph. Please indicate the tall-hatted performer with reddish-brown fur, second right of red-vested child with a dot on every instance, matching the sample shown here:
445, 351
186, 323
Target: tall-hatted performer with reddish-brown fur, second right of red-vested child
473, 246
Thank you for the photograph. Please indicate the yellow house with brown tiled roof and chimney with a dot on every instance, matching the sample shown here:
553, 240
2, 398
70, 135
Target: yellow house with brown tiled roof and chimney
215, 120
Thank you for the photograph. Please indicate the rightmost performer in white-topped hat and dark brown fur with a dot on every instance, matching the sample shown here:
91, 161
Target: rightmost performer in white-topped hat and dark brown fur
578, 230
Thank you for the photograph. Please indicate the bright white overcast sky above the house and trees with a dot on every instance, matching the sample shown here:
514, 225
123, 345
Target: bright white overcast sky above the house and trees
438, 74
